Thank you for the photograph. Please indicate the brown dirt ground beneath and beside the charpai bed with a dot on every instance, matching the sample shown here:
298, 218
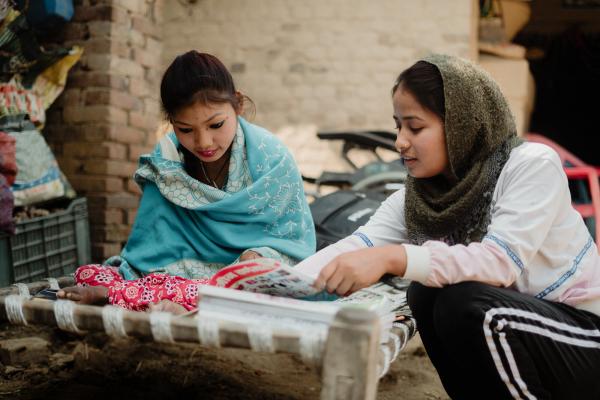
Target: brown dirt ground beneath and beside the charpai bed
96, 367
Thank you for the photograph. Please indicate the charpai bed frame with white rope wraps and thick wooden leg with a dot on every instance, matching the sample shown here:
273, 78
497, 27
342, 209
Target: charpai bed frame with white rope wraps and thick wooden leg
350, 355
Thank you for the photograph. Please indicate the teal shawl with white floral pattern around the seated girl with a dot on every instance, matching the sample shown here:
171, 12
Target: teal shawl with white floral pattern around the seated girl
259, 211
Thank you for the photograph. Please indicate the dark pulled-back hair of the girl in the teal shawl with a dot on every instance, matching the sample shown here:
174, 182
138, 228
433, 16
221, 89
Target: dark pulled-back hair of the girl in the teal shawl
197, 77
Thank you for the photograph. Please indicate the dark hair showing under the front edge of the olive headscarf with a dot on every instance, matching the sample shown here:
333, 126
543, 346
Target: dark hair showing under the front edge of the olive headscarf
425, 82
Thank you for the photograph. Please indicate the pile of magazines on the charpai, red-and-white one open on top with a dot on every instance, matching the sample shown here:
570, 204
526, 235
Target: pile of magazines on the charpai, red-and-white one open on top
270, 292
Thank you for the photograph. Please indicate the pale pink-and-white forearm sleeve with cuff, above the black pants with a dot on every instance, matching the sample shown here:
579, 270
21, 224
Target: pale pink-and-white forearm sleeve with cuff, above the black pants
446, 265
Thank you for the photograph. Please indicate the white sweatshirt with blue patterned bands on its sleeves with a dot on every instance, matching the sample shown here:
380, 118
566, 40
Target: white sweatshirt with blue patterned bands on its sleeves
536, 243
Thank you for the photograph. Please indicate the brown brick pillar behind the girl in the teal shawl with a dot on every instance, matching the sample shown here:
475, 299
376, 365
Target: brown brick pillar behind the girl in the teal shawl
107, 115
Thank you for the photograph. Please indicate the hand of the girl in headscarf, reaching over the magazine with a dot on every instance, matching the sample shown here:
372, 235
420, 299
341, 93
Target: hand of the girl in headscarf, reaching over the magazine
355, 270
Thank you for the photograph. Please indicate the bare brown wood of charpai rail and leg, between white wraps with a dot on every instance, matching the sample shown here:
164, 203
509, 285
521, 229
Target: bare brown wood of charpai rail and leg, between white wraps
352, 360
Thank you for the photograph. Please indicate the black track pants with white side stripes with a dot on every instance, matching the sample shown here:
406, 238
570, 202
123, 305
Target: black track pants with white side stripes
495, 343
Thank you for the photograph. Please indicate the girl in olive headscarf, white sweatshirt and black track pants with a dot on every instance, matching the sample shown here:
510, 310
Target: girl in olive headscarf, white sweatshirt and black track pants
506, 277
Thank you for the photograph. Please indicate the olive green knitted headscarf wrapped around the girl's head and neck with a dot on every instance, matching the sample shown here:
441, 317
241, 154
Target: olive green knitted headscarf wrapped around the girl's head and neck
480, 133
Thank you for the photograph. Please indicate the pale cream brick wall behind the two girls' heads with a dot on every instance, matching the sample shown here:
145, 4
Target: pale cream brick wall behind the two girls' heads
329, 63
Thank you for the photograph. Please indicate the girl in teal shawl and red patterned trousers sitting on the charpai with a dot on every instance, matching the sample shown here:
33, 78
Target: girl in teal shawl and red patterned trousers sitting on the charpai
216, 190
